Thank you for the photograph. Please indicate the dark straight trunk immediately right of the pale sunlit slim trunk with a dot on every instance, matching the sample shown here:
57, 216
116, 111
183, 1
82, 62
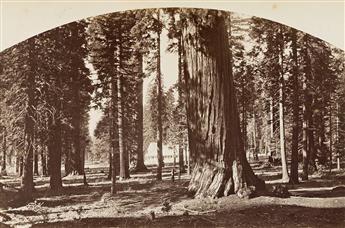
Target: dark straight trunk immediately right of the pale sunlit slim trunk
295, 110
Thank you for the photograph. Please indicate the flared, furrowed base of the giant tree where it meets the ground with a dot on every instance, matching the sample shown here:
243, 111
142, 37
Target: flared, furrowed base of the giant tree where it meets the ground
212, 181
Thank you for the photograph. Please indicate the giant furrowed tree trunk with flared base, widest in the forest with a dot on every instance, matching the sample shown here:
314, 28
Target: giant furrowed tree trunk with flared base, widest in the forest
221, 167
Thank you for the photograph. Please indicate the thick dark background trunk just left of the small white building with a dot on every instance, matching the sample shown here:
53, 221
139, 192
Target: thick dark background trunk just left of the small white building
140, 166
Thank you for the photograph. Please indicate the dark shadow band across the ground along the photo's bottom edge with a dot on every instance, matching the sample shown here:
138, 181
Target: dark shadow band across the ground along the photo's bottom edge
257, 216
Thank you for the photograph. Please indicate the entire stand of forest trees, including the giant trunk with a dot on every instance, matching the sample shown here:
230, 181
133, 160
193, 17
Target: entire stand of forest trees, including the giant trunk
246, 86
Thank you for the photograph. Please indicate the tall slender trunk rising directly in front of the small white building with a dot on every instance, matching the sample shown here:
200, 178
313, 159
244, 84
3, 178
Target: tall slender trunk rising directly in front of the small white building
160, 108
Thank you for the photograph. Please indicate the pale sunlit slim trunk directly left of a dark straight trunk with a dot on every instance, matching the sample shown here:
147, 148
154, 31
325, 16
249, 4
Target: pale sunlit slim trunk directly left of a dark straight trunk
285, 174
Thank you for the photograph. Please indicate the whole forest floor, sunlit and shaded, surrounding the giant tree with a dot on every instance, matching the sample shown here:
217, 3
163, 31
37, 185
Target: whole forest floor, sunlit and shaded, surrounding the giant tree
142, 201
